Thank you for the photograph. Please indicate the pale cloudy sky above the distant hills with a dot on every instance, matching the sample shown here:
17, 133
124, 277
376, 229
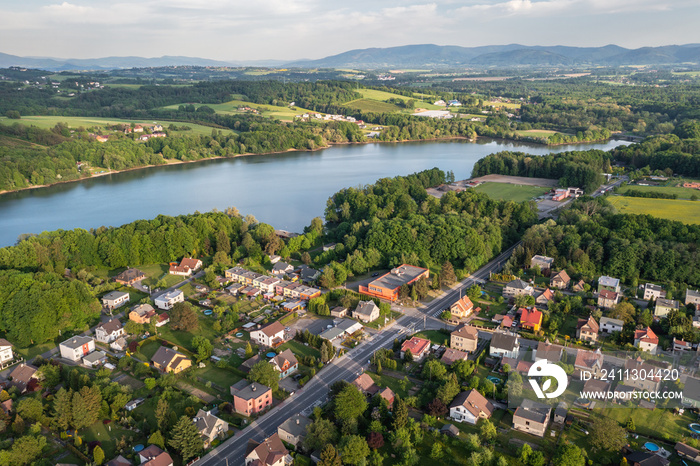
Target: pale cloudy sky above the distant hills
236, 30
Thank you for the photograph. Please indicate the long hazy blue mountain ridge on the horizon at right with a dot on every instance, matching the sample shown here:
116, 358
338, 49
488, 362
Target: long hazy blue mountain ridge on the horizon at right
431, 56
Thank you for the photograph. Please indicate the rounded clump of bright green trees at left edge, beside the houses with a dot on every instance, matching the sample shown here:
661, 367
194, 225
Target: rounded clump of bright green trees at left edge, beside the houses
35, 307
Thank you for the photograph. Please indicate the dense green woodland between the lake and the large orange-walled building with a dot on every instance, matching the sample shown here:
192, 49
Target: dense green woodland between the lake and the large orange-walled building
396, 221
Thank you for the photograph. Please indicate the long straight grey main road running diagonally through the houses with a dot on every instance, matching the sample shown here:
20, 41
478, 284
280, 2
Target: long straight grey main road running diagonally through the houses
347, 367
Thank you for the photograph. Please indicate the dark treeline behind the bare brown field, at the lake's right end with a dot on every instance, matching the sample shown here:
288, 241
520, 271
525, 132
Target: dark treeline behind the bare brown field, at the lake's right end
582, 169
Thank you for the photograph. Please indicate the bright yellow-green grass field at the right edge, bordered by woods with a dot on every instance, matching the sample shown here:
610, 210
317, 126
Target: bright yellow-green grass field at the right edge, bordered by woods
671, 209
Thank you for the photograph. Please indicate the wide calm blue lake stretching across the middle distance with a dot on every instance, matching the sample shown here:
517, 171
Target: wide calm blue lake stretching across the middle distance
285, 190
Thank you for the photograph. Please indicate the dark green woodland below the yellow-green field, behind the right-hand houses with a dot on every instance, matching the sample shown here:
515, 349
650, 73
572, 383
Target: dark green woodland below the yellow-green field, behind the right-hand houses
590, 240
